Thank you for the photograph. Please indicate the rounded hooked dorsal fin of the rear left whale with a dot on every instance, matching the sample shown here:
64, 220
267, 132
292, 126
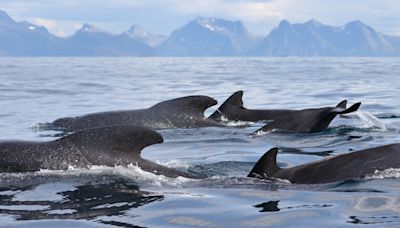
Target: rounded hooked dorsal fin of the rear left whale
191, 104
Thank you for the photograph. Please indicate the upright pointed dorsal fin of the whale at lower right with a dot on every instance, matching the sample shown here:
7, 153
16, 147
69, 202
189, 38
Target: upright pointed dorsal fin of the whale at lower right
266, 166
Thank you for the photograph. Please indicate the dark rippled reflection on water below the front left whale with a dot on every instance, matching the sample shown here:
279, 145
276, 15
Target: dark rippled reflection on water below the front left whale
90, 201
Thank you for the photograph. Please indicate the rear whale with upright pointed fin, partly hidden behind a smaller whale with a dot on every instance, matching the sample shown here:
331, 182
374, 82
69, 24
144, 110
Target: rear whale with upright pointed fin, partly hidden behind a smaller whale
233, 109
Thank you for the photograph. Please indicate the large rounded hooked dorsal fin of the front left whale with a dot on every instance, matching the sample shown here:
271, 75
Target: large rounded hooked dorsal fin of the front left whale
125, 138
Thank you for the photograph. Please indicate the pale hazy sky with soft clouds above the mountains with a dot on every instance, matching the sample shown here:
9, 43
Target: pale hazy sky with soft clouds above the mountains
64, 17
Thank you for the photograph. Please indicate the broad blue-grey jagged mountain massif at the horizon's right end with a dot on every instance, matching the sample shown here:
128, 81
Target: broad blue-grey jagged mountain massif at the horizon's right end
315, 39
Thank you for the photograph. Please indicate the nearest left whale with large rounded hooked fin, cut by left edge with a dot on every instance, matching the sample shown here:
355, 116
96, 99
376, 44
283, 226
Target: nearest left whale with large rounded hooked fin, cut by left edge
106, 146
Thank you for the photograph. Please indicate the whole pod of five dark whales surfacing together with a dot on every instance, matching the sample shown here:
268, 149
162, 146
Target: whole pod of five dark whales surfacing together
117, 138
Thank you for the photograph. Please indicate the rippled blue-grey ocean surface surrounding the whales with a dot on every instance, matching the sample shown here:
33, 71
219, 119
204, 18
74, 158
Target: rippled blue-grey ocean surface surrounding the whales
40, 90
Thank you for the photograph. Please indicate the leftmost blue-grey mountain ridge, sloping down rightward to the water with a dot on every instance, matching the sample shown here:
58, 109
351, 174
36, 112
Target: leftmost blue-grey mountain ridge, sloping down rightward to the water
26, 39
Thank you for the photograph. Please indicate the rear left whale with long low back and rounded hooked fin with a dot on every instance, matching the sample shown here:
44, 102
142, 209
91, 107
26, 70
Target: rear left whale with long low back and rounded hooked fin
184, 112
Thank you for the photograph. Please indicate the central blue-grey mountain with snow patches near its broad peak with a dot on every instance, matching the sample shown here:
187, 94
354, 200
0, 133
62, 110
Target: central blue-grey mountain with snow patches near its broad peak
209, 37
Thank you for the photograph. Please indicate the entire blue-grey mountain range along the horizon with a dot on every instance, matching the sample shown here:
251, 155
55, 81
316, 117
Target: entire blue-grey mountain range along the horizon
199, 37
